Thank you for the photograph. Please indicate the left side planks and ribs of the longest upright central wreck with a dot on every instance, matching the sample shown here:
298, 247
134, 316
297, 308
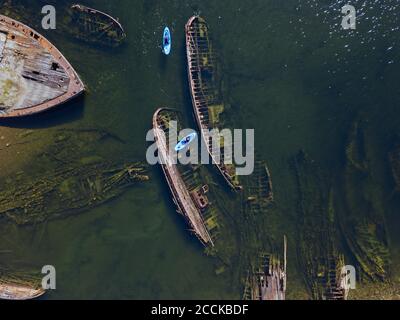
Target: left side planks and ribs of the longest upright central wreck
200, 95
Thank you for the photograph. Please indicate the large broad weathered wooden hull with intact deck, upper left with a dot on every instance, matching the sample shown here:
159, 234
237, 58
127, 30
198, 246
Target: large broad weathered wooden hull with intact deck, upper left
34, 75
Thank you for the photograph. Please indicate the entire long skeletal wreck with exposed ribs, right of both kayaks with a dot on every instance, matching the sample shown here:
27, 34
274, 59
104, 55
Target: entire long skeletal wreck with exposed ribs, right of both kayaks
206, 98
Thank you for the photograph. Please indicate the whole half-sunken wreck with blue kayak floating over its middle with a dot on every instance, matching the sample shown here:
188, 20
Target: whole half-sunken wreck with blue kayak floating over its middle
189, 197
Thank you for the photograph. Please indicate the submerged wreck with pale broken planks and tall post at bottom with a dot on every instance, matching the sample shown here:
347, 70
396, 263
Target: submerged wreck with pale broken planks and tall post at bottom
266, 271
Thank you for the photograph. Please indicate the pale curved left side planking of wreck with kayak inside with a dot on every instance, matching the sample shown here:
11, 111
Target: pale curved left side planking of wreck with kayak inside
181, 197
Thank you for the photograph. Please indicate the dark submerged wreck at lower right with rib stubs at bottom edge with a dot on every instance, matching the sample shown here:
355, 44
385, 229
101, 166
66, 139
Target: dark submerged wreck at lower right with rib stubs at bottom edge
318, 254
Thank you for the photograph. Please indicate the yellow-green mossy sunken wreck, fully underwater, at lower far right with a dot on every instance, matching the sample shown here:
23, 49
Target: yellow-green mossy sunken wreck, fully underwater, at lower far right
363, 222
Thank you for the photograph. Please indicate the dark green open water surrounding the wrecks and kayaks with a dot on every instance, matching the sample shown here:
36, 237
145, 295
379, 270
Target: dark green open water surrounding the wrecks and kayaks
292, 74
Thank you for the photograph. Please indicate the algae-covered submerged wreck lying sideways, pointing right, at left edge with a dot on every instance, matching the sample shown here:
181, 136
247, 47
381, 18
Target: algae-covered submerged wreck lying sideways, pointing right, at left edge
68, 190
